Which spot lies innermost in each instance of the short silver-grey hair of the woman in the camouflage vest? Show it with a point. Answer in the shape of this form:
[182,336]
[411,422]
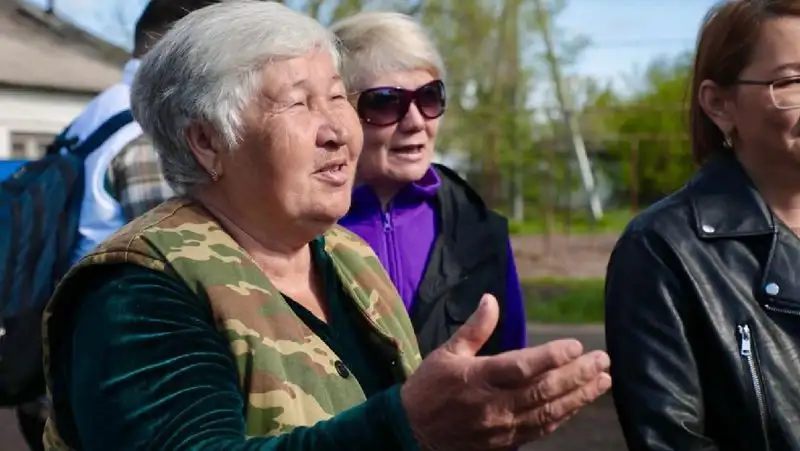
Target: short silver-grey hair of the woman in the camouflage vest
[207,69]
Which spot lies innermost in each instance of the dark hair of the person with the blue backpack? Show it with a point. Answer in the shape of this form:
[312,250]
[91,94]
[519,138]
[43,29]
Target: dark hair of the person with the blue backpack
[159,15]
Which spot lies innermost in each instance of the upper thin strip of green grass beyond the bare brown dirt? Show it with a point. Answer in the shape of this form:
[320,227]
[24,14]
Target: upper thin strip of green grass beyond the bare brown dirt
[613,221]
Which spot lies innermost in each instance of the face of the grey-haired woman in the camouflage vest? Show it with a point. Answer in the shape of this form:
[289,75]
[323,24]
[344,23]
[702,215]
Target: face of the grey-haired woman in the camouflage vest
[300,143]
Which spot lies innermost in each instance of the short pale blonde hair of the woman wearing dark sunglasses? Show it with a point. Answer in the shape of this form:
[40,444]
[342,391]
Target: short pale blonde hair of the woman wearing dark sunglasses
[376,43]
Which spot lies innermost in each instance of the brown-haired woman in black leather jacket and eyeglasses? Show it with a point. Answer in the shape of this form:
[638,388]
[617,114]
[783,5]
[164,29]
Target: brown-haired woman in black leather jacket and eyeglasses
[702,290]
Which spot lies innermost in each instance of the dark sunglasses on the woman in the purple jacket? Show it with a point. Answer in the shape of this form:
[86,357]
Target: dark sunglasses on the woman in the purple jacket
[388,106]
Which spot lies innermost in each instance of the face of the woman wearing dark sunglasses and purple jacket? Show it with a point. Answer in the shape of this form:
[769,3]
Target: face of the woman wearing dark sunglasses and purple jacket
[399,136]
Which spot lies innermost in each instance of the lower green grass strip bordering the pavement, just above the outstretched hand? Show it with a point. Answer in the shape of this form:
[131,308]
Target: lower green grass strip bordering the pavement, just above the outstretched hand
[563,301]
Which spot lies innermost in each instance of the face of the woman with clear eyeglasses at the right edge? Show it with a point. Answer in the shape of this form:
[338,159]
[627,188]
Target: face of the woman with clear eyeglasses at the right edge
[765,125]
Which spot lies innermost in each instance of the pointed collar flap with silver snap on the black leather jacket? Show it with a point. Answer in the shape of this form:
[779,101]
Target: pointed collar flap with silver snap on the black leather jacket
[725,202]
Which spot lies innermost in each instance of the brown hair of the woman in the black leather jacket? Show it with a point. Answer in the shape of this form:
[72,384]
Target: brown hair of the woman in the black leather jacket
[725,44]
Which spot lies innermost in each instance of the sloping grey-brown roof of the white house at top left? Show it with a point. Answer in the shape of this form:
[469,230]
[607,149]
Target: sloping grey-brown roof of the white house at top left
[41,51]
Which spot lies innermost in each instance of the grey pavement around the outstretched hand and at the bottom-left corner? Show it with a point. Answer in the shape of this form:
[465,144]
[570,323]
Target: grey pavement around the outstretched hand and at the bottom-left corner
[593,429]
